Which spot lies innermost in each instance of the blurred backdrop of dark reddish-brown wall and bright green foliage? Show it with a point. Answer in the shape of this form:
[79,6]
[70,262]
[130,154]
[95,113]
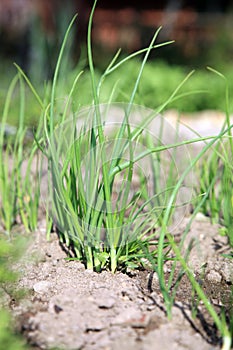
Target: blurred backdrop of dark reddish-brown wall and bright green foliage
[31,34]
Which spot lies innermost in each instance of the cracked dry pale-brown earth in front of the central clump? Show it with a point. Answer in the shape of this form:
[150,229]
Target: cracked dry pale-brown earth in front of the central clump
[68,307]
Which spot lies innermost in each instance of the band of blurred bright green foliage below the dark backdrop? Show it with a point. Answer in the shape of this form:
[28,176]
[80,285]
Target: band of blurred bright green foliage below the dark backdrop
[158,82]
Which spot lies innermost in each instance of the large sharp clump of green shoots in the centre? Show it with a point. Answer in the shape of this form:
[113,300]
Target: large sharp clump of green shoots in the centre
[85,171]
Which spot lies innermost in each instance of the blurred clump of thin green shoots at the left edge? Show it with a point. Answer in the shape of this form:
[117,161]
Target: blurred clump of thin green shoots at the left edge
[19,191]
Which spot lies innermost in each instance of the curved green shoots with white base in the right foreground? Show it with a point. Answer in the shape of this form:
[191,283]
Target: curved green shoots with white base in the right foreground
[167,290]
